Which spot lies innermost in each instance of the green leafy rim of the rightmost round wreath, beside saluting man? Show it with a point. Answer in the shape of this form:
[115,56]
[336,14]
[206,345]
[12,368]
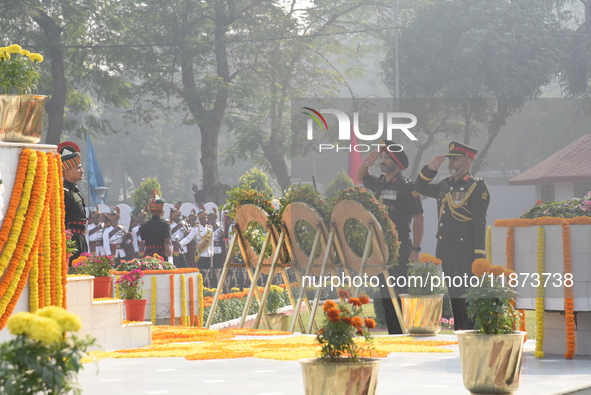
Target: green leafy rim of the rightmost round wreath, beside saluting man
[369,202]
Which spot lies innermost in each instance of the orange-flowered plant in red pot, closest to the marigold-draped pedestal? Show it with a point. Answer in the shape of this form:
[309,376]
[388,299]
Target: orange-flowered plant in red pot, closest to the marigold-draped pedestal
[98,266]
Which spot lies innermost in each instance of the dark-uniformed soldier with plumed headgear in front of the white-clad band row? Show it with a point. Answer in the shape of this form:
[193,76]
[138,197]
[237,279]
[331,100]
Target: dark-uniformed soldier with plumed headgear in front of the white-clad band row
[156,231]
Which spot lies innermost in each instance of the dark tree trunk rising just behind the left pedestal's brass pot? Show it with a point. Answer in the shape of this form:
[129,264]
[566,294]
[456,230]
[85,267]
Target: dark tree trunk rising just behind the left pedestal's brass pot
[56,104]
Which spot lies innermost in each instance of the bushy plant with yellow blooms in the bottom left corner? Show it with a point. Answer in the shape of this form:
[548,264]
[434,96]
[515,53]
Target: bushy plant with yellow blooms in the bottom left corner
[45,356]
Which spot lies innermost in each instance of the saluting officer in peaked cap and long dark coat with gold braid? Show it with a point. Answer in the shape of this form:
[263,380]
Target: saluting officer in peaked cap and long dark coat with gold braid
[462,201]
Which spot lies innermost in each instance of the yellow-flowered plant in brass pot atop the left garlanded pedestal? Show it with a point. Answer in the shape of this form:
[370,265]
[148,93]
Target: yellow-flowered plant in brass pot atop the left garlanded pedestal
[20,112]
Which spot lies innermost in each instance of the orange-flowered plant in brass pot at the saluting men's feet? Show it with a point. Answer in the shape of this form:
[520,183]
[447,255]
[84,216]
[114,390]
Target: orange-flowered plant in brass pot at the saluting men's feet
[422,307]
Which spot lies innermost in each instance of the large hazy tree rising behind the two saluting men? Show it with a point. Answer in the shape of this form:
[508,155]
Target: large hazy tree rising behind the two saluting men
[502,51]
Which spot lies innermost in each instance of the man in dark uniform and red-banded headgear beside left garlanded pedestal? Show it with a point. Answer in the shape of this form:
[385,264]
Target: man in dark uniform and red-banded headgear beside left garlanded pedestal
[74,203]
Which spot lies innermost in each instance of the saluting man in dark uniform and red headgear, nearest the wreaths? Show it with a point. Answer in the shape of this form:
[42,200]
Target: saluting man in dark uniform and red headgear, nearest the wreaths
[404,205]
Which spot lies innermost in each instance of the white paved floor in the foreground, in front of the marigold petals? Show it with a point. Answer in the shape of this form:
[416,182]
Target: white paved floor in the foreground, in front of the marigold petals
[400,373]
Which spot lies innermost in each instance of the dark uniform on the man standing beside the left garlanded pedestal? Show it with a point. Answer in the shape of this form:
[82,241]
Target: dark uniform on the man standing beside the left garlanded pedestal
[75,217]
